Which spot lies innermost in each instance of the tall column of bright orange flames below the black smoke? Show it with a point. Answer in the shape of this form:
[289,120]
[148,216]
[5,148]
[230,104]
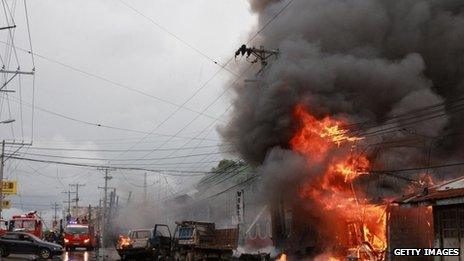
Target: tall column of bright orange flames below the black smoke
[330,152]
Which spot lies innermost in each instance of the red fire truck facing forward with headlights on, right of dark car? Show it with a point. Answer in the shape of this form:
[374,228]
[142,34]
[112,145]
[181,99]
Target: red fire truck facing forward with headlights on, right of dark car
[79,235]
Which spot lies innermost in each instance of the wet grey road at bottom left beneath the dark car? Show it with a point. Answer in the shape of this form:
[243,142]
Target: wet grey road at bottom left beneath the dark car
[78,255]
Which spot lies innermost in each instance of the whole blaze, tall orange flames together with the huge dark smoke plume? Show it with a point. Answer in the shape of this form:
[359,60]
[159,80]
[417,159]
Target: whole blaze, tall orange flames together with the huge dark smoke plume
[364,98]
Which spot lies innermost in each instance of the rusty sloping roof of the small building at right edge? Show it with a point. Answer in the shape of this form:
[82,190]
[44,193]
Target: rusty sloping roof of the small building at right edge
[450,192]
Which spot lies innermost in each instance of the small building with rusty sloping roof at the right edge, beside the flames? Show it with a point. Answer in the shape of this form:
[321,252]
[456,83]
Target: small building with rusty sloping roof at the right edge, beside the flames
[447,203]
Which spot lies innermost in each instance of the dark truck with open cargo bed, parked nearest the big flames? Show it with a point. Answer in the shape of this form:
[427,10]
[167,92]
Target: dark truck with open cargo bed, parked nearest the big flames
[194,240]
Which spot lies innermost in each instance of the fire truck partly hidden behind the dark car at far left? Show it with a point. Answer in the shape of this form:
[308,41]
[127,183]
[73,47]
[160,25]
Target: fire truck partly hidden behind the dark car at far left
[29,223]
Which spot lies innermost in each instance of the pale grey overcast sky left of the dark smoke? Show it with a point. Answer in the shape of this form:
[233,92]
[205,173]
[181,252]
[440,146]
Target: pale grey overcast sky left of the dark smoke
[128,65]
